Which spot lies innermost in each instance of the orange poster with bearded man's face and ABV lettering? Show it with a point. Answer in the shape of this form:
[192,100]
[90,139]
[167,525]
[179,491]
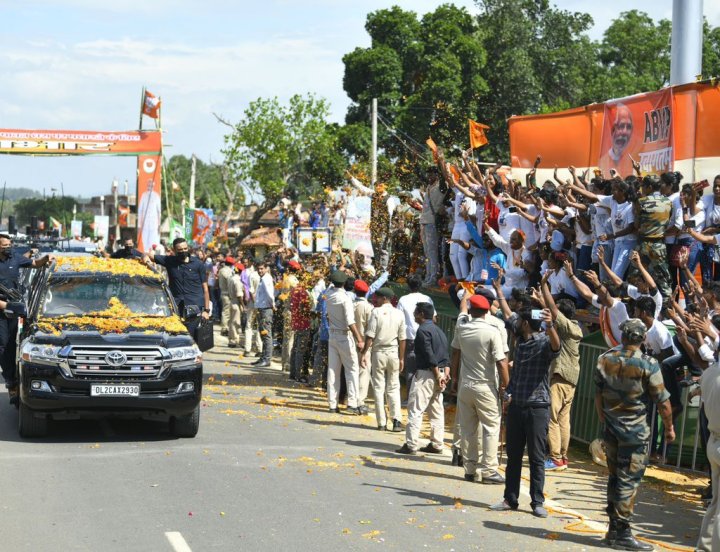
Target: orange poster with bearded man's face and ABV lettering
[640,128]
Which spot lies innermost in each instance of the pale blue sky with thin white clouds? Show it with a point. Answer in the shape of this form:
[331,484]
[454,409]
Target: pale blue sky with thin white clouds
[81,65]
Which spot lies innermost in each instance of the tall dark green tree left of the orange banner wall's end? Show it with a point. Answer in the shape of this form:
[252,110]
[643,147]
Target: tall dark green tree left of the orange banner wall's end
[427,76]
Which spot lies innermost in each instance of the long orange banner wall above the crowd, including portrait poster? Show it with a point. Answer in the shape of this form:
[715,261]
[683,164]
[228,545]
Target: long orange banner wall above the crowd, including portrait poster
[679,124]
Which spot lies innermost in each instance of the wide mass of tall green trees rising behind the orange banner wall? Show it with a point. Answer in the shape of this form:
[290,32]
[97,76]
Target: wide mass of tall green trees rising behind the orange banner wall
[517,57]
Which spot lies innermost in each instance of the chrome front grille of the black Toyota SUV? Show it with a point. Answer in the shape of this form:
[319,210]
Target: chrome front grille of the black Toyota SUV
[89,362]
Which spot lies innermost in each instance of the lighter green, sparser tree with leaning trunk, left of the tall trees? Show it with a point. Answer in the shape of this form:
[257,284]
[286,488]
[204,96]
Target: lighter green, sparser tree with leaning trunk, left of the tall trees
[280,149]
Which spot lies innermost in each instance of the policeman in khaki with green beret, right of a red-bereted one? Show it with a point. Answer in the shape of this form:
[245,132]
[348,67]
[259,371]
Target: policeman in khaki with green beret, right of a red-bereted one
[385,335]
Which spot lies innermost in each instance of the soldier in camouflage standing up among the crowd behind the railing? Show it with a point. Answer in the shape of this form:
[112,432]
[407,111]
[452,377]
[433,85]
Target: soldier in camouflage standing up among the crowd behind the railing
[652,216]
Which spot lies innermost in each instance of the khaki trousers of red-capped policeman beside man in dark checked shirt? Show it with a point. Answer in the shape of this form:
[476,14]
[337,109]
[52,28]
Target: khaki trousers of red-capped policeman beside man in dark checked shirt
[479,427]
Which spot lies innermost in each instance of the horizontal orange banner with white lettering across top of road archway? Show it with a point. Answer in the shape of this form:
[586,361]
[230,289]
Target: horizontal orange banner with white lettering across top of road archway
[79,142]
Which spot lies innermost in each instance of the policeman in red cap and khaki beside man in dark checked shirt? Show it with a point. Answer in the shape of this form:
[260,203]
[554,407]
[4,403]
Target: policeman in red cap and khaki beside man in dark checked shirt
[478,350]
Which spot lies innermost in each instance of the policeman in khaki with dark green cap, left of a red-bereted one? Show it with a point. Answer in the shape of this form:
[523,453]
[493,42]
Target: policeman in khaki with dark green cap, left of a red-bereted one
[341,347]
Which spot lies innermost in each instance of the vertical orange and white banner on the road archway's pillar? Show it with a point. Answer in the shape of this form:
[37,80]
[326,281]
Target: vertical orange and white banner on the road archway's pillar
[149,201]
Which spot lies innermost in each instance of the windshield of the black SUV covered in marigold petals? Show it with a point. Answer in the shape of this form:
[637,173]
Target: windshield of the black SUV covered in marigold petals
[80,294]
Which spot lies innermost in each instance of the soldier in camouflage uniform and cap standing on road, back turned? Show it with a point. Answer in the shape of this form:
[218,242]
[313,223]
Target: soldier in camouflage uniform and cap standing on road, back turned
[624,377]
